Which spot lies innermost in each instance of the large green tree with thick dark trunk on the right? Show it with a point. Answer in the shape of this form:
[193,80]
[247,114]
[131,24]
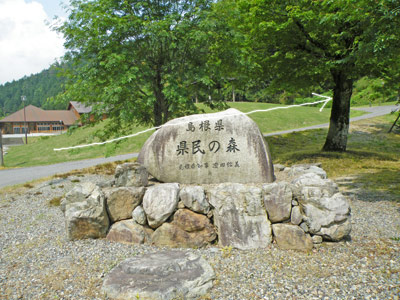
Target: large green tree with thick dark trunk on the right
[324,43]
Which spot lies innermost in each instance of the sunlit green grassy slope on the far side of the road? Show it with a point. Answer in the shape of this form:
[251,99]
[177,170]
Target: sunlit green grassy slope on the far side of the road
[39,150]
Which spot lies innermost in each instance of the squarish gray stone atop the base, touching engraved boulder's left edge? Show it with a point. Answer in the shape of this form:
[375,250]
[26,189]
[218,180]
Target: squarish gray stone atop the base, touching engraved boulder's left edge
[131,174]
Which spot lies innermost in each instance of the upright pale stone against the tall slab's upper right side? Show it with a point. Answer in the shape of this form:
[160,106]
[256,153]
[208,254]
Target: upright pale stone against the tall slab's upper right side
[278,201]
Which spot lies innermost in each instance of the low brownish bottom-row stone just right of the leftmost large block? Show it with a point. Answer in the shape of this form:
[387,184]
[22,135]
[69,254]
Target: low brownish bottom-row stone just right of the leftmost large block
[128,232]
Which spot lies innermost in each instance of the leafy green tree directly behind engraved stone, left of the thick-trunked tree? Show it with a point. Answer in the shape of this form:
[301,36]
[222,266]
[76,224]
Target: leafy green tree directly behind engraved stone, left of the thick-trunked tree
[135,59]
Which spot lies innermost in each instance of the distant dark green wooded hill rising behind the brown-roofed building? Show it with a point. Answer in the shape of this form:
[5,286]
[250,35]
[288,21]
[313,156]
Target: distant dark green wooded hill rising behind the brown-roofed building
[37,88]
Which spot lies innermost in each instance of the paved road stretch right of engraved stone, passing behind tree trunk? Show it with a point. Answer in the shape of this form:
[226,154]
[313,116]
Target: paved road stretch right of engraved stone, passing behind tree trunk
[374,111]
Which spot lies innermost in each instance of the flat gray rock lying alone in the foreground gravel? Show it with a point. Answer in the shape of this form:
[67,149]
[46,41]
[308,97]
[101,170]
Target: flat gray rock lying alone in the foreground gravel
[164,275]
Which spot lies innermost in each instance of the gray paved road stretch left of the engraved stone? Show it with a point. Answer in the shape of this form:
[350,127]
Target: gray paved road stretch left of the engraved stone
[17,176]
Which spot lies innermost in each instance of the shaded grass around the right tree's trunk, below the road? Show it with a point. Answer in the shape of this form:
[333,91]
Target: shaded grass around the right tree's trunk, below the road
[372,158]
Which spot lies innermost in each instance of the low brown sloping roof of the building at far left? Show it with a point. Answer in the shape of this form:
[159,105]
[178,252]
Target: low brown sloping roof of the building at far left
[35,114]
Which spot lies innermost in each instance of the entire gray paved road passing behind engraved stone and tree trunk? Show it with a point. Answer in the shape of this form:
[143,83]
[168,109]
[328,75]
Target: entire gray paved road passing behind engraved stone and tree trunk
[17,176]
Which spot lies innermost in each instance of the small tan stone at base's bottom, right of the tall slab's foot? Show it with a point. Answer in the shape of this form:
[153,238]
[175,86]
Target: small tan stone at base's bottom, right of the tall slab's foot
[292,237]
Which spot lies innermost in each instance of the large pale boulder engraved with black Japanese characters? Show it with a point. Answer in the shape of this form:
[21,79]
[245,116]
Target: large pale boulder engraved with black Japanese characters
[208,148]
